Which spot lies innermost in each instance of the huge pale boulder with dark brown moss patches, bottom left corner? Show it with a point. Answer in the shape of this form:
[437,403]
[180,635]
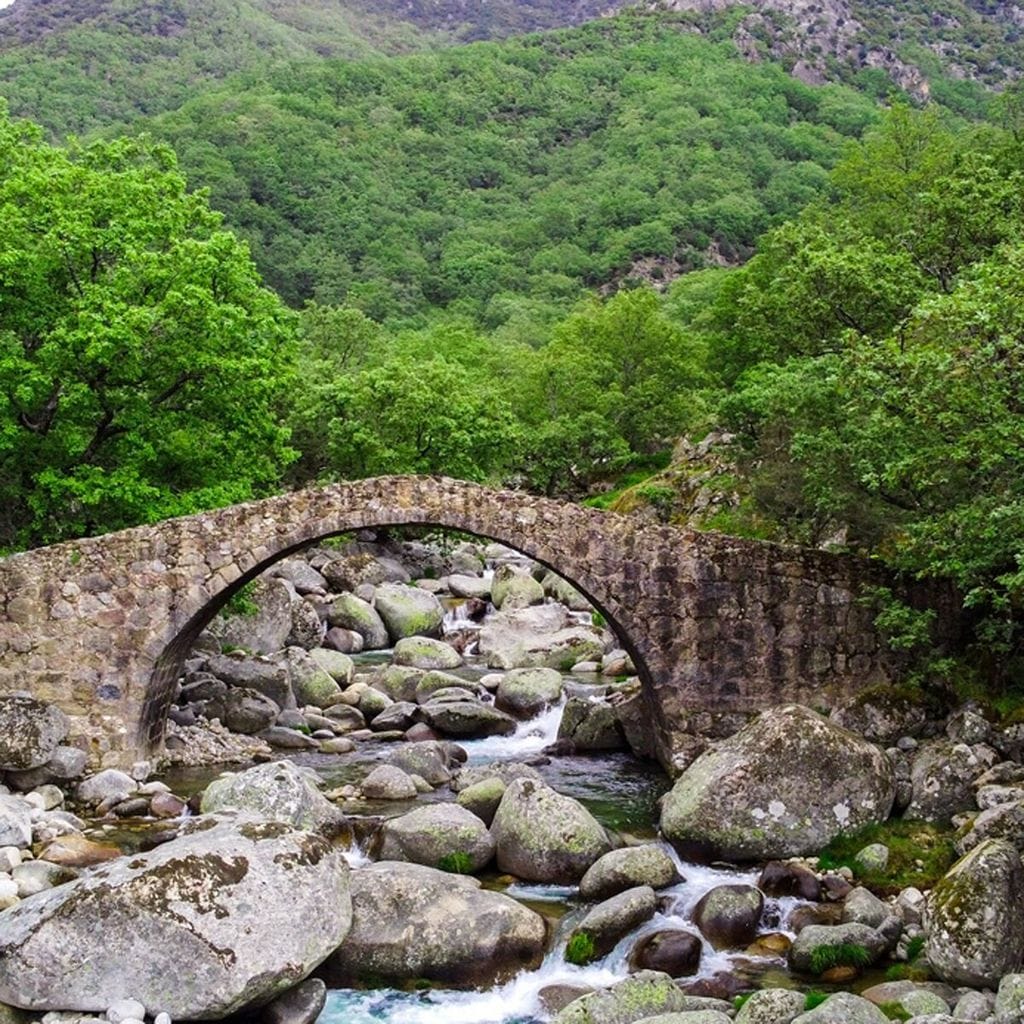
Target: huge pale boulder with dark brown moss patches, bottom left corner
[231,915]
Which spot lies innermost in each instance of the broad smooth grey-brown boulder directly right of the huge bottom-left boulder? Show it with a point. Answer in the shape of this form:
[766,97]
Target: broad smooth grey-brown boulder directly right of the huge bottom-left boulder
[412,922]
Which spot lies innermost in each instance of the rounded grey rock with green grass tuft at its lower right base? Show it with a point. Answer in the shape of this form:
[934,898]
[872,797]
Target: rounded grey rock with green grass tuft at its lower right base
[443,836]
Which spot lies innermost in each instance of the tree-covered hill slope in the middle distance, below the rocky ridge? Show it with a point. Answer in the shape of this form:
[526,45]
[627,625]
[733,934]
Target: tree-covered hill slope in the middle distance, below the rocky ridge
[503,181]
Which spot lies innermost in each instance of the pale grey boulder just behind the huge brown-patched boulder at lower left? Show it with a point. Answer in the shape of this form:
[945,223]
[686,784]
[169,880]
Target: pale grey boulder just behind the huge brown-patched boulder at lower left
[277,792]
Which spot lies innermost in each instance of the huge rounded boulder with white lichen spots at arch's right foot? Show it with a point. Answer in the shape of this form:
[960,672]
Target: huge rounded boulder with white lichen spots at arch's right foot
[745,801]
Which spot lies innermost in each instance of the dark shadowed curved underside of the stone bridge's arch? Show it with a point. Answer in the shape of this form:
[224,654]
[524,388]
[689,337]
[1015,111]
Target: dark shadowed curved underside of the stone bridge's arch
[169,662]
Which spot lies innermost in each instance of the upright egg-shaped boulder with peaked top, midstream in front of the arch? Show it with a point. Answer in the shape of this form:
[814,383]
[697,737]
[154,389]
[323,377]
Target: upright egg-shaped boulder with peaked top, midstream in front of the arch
[543,836]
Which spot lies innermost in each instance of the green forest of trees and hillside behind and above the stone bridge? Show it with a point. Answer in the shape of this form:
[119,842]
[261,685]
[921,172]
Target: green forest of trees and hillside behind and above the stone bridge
[538,263]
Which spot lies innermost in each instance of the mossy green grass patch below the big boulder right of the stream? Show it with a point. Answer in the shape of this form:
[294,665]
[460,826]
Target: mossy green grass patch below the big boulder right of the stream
[909,842]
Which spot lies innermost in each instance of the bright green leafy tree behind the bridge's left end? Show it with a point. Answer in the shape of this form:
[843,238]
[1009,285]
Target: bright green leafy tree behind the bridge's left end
[141,360]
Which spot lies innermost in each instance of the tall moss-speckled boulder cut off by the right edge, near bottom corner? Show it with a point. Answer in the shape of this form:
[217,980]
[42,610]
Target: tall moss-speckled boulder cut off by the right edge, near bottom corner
[976,918]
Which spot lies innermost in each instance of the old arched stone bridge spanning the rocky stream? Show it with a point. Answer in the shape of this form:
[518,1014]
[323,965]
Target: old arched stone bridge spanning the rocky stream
[102,626]
